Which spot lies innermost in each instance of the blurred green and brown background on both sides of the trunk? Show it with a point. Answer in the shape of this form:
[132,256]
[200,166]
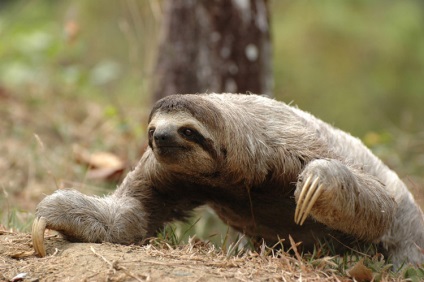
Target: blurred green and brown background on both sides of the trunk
[76,83]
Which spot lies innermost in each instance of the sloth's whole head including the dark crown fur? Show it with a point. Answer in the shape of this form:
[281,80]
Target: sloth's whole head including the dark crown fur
[182,135]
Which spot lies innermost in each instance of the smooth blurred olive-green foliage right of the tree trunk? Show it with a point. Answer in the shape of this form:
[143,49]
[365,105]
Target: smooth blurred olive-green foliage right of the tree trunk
[356,64]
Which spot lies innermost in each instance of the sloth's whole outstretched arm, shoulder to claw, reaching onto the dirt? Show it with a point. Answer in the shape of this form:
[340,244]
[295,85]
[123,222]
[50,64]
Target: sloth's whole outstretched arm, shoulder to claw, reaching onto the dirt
[132,213]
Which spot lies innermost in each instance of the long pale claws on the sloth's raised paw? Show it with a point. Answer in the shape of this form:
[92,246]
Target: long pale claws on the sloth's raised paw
[306,202]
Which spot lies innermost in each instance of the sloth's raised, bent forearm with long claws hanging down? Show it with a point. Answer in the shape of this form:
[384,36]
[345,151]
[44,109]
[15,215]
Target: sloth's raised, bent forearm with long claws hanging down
[344,199]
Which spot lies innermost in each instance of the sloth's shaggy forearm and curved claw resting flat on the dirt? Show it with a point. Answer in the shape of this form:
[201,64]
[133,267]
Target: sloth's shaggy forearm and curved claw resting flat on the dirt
[89,219]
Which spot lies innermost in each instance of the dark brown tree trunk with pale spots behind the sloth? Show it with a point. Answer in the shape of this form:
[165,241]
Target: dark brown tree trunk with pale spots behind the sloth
[214,46]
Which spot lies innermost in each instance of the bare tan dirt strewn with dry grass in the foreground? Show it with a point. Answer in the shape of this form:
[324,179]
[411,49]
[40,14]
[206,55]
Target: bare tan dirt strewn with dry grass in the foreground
[66,261]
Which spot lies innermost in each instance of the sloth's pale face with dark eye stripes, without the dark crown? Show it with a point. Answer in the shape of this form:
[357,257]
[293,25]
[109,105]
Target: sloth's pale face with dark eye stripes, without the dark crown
[182,144]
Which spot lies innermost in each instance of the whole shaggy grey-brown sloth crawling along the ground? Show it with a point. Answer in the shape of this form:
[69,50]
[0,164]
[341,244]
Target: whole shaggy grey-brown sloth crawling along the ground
[267,169]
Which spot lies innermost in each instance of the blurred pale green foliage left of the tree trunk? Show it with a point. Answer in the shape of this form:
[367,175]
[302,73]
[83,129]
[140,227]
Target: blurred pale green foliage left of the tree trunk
[76,48]
